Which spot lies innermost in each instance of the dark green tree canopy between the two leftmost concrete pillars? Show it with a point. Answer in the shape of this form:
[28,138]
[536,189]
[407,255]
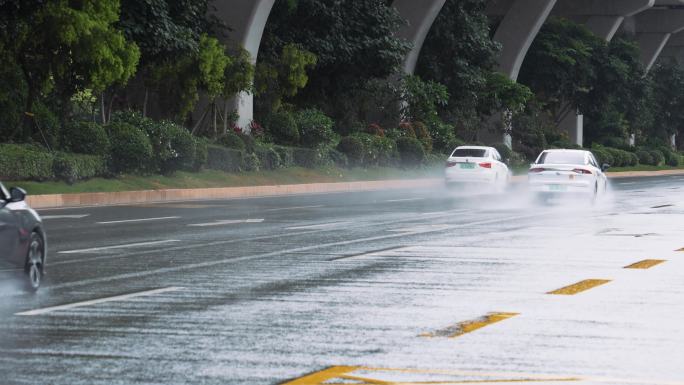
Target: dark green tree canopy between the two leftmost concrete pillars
[354,42]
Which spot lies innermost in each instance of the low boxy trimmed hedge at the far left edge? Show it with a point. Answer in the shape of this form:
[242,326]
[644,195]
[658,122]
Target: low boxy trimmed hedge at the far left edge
[25,162]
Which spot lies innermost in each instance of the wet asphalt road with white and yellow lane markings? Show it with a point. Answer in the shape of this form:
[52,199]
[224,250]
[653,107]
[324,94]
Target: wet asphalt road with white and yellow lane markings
[401,287]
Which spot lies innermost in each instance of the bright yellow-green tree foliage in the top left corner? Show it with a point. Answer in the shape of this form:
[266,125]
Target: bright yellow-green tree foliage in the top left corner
[66,47]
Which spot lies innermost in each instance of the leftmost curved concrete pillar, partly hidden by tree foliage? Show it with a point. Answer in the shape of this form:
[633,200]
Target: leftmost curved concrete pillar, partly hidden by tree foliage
[246,19]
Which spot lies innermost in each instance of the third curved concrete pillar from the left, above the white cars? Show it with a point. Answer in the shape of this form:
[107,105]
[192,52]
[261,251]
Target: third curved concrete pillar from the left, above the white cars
[517,31]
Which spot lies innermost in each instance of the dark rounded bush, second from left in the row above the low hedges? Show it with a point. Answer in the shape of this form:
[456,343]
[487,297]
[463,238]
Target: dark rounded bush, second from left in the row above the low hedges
[131,150]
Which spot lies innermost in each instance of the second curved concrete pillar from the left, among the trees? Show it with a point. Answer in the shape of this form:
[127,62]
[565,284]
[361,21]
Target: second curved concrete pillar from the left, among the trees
[420,16]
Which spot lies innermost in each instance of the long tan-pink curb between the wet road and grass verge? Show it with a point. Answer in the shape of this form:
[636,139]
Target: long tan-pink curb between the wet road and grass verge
[175,195]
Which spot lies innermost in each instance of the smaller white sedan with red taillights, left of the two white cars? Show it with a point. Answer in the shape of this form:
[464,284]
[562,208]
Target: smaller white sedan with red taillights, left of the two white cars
[470,165]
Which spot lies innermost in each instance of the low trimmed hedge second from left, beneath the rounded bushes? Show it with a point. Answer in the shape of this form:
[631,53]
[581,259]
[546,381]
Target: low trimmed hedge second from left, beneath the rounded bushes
[73,167]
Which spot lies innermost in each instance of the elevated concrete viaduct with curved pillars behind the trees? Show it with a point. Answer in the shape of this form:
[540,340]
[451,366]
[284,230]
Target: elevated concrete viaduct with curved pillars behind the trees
[656,24]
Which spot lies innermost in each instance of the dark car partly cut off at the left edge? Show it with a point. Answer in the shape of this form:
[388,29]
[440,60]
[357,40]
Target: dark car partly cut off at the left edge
[22,238]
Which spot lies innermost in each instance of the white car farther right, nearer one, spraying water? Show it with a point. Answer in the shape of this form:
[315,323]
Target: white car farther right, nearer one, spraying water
[567,172]
